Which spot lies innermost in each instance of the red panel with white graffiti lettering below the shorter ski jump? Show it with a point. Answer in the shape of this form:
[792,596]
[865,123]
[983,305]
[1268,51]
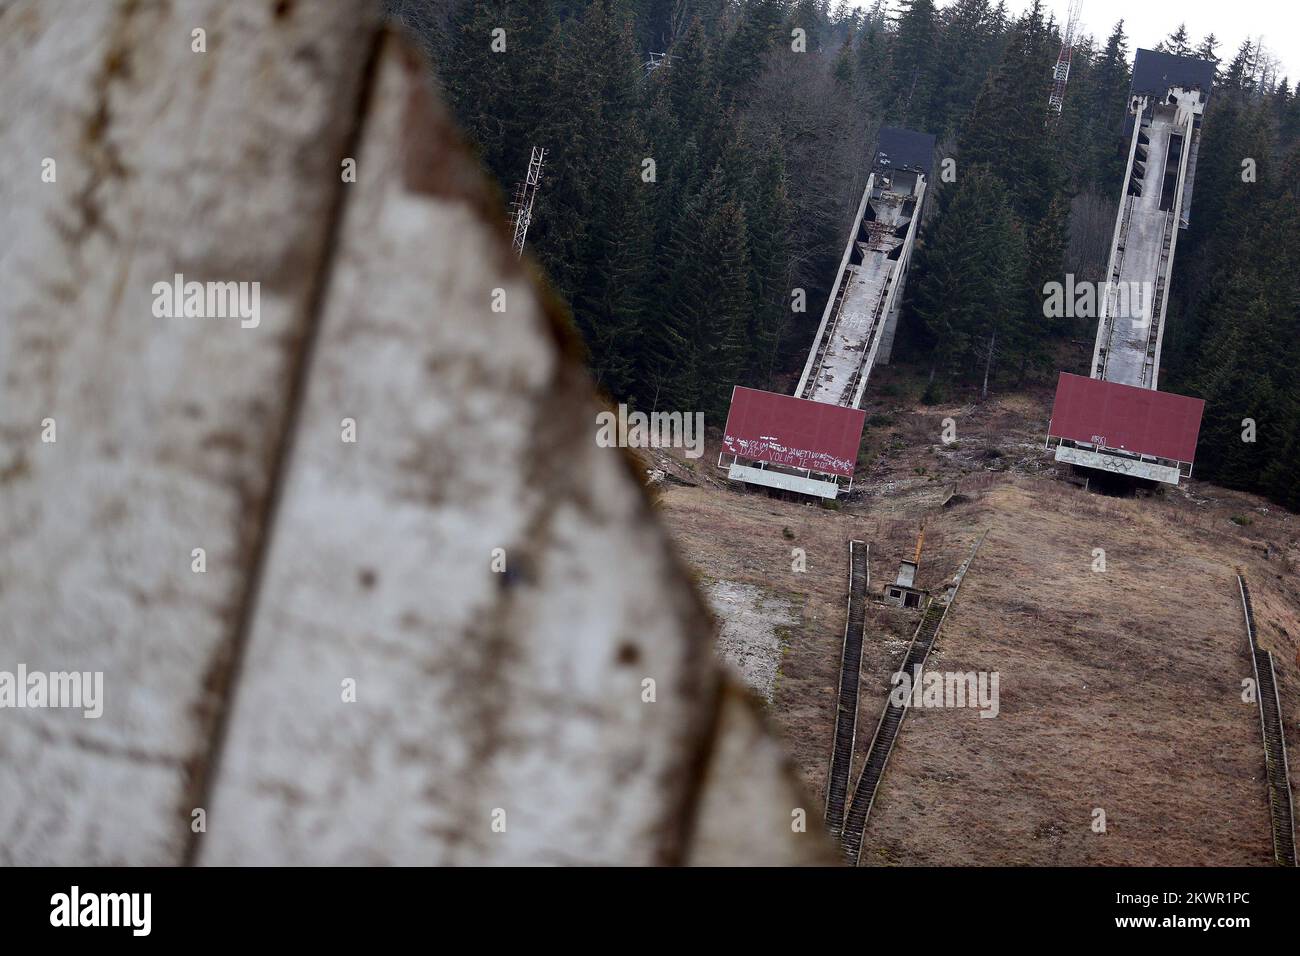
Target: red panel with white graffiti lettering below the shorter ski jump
[783,430]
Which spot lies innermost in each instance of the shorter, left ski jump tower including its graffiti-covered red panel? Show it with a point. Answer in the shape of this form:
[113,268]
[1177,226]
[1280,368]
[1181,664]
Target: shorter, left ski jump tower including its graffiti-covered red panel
[809,443]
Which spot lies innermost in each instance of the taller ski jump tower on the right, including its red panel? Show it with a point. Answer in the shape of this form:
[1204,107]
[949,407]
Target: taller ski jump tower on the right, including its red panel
[1119,423]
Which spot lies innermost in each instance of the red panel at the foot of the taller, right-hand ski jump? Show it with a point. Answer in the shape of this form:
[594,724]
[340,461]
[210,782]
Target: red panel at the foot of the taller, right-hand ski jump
[1124,417]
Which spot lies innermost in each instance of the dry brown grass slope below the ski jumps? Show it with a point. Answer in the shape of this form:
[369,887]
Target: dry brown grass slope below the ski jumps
[1119,691]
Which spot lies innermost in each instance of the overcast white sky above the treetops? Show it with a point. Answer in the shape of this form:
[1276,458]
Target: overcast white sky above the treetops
[1147,23]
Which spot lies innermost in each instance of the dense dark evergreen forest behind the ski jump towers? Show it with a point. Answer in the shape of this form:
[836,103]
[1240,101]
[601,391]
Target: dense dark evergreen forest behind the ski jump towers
[694,214]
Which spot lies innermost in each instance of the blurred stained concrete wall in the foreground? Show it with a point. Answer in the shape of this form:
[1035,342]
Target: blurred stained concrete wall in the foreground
[274,534]
